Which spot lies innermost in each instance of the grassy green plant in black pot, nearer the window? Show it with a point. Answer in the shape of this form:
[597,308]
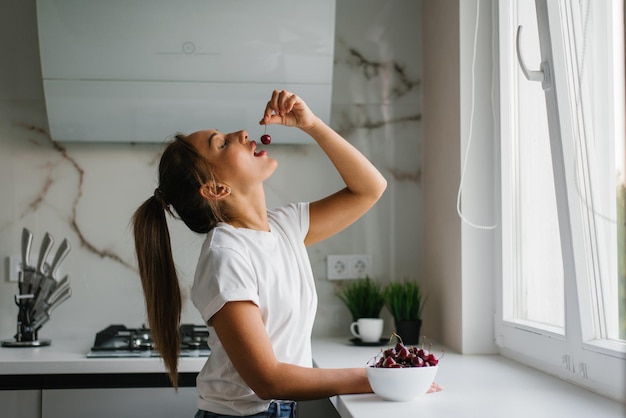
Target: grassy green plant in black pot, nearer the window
[405,301]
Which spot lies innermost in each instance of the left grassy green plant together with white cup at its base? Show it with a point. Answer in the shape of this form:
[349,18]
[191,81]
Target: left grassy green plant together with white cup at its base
[364,299]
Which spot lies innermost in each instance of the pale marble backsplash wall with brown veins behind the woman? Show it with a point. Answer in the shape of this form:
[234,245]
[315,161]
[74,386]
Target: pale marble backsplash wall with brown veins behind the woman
[88,192]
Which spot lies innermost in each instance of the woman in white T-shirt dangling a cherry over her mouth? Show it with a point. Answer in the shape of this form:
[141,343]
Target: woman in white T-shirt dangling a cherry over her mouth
[253,283]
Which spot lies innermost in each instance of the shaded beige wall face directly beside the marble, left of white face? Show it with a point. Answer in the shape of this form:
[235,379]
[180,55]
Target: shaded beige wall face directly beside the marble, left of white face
[442,255]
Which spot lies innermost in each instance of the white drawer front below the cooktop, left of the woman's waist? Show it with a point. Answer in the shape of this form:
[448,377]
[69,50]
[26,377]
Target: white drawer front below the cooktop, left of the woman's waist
[119,403]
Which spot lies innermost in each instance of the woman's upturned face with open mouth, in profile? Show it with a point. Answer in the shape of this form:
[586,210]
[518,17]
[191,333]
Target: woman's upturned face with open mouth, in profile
[233,157]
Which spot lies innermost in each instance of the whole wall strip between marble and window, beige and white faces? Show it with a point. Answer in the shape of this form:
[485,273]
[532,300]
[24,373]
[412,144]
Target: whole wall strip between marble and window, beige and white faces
[459,262]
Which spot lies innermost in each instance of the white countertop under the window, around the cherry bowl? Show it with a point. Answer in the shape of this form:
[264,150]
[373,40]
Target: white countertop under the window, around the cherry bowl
[474,386]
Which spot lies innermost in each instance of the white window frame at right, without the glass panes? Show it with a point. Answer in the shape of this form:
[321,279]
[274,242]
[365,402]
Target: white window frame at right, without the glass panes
[578,356]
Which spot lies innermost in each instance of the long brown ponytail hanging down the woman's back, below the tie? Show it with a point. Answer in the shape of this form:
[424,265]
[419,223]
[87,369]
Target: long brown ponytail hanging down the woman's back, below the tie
[159,280]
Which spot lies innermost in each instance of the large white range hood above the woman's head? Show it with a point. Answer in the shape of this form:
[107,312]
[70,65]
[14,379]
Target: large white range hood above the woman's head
[142,70]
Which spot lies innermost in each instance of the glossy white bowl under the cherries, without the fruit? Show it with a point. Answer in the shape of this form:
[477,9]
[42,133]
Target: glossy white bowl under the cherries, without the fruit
[401,384]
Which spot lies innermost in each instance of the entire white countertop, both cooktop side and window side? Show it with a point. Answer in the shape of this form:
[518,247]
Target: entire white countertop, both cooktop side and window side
[474,385]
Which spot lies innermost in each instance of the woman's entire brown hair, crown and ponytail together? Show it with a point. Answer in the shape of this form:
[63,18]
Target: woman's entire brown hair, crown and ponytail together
[182,170]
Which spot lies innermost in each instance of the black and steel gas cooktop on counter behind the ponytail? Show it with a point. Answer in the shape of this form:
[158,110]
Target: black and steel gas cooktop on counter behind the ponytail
[120,341]
